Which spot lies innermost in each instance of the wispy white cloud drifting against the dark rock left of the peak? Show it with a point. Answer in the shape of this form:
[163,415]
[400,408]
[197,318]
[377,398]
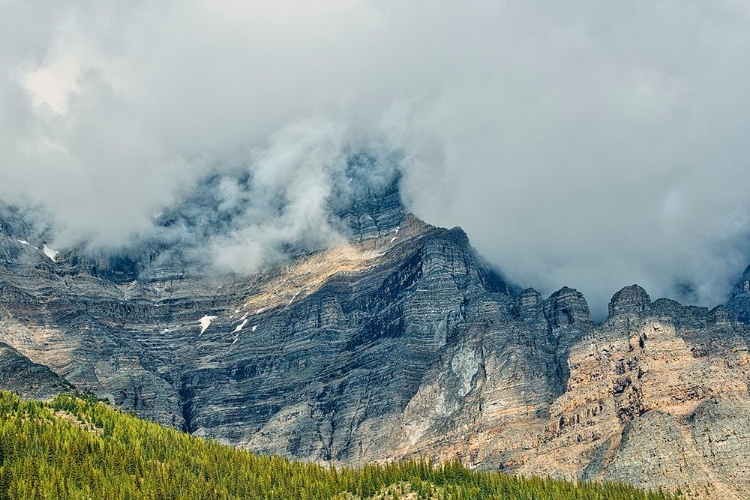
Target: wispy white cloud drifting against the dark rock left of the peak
[285,200]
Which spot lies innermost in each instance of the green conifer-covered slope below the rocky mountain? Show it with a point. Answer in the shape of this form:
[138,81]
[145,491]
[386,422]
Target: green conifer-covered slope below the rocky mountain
[80,448]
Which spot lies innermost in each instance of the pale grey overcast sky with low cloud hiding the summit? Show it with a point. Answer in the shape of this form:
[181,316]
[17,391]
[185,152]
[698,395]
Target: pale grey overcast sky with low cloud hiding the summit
[583,143]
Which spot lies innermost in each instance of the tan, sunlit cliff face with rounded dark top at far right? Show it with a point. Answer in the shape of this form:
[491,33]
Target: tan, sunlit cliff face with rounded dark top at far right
[653,394]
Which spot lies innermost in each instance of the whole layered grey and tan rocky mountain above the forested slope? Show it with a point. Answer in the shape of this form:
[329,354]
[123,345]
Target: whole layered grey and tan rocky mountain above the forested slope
[400,343]
